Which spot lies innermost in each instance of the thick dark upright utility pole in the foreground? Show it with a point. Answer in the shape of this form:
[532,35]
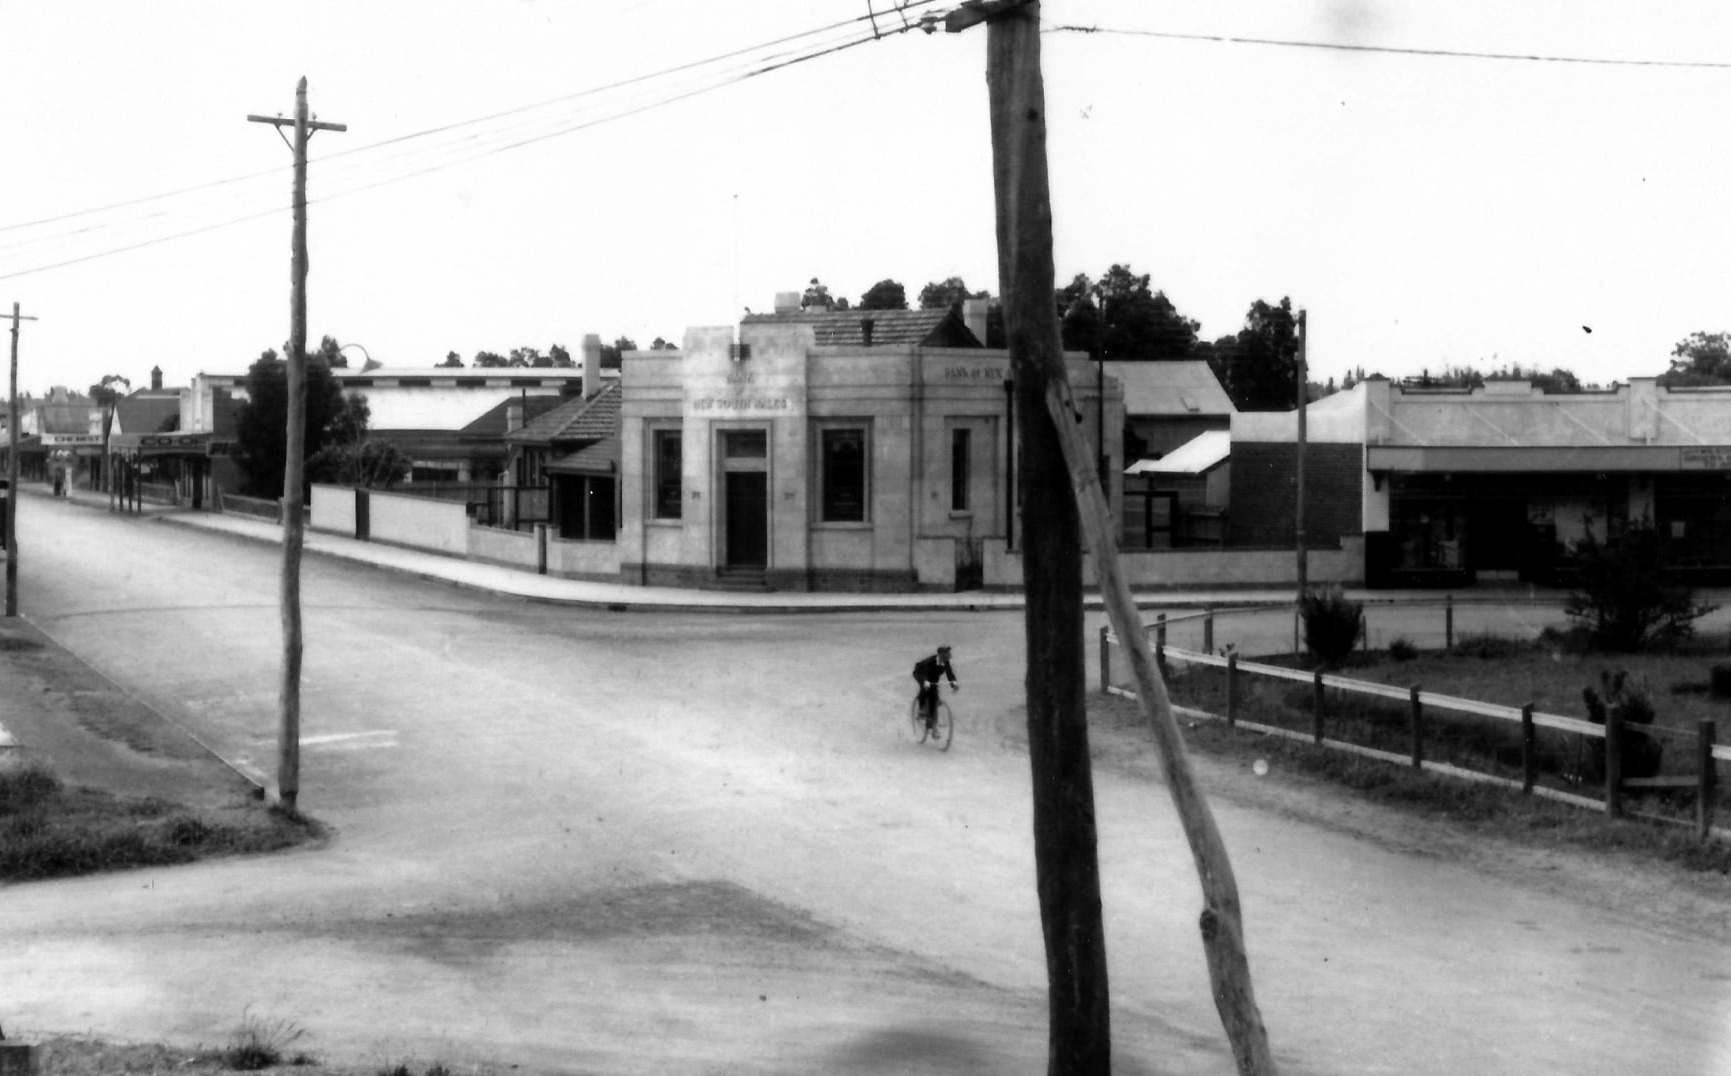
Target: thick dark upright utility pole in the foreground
[1065,835]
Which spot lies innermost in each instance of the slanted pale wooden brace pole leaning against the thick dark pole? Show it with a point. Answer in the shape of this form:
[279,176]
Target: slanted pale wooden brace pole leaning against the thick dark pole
[1223,926]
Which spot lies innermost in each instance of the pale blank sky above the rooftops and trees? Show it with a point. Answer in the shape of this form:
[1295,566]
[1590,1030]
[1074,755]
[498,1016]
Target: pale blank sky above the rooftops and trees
[527,172]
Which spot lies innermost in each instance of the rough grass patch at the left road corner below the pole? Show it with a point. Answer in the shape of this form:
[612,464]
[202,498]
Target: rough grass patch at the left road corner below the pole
[49,829]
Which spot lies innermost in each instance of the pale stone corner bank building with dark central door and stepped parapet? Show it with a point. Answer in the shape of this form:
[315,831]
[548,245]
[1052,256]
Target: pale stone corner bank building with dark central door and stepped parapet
[832,451]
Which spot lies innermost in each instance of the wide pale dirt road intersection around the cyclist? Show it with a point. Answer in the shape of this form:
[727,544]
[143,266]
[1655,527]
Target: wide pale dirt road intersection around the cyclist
[700,845]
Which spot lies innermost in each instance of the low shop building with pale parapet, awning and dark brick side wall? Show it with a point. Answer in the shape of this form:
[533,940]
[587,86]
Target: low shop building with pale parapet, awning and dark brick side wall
[1500,482]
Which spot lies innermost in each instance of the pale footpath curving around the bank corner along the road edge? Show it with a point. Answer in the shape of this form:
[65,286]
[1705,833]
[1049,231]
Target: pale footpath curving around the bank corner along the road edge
[624,598]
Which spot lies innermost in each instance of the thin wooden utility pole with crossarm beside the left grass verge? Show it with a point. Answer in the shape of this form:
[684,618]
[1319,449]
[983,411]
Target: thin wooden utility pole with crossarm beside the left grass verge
[295,449]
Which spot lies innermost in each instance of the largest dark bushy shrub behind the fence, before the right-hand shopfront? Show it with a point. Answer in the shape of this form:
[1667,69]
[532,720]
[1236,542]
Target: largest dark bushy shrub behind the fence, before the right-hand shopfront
[1623,598]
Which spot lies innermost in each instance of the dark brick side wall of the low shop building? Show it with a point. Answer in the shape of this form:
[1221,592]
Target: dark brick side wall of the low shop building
[1264,494]
